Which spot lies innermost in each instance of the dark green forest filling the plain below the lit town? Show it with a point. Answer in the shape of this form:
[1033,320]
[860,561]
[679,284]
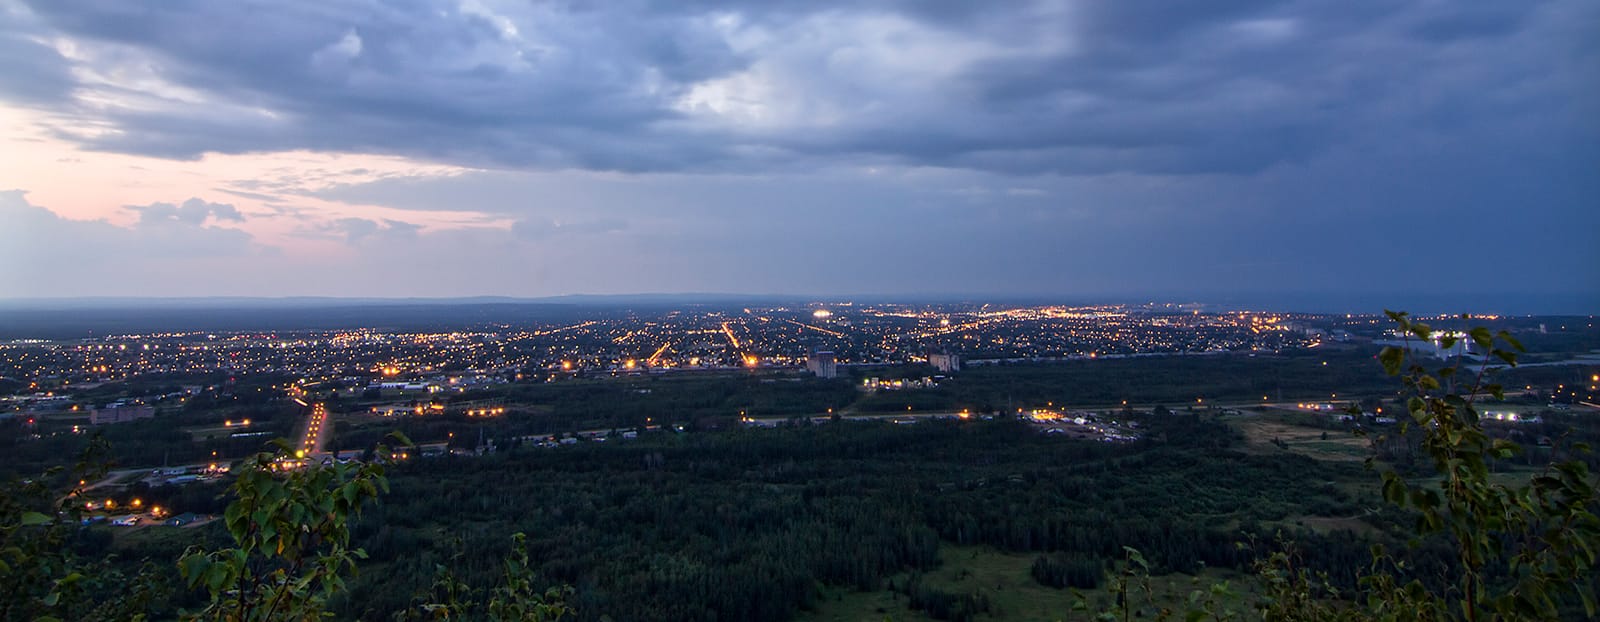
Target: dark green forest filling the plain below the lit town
[751,524]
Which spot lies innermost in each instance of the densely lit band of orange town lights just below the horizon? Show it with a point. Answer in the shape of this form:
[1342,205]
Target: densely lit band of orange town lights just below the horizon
[681,341]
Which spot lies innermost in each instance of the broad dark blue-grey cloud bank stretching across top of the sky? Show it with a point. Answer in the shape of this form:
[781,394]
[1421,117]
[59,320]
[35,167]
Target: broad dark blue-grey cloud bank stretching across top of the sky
[1076,89]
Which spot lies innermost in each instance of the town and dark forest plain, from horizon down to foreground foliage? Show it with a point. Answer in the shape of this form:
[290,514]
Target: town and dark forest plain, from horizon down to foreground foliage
[918,404]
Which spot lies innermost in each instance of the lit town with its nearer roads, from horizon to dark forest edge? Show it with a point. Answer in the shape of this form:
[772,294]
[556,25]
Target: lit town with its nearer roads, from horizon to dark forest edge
[223,394]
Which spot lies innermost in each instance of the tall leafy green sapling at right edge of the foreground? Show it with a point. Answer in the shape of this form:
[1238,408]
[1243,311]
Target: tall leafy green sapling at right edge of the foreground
[1521,551]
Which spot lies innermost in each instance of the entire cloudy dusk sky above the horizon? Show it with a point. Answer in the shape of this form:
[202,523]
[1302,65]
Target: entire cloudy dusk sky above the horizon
[1078,150]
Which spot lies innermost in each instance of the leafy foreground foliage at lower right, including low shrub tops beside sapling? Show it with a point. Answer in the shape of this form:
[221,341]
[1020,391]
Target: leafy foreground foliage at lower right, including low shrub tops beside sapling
[1521,552]
